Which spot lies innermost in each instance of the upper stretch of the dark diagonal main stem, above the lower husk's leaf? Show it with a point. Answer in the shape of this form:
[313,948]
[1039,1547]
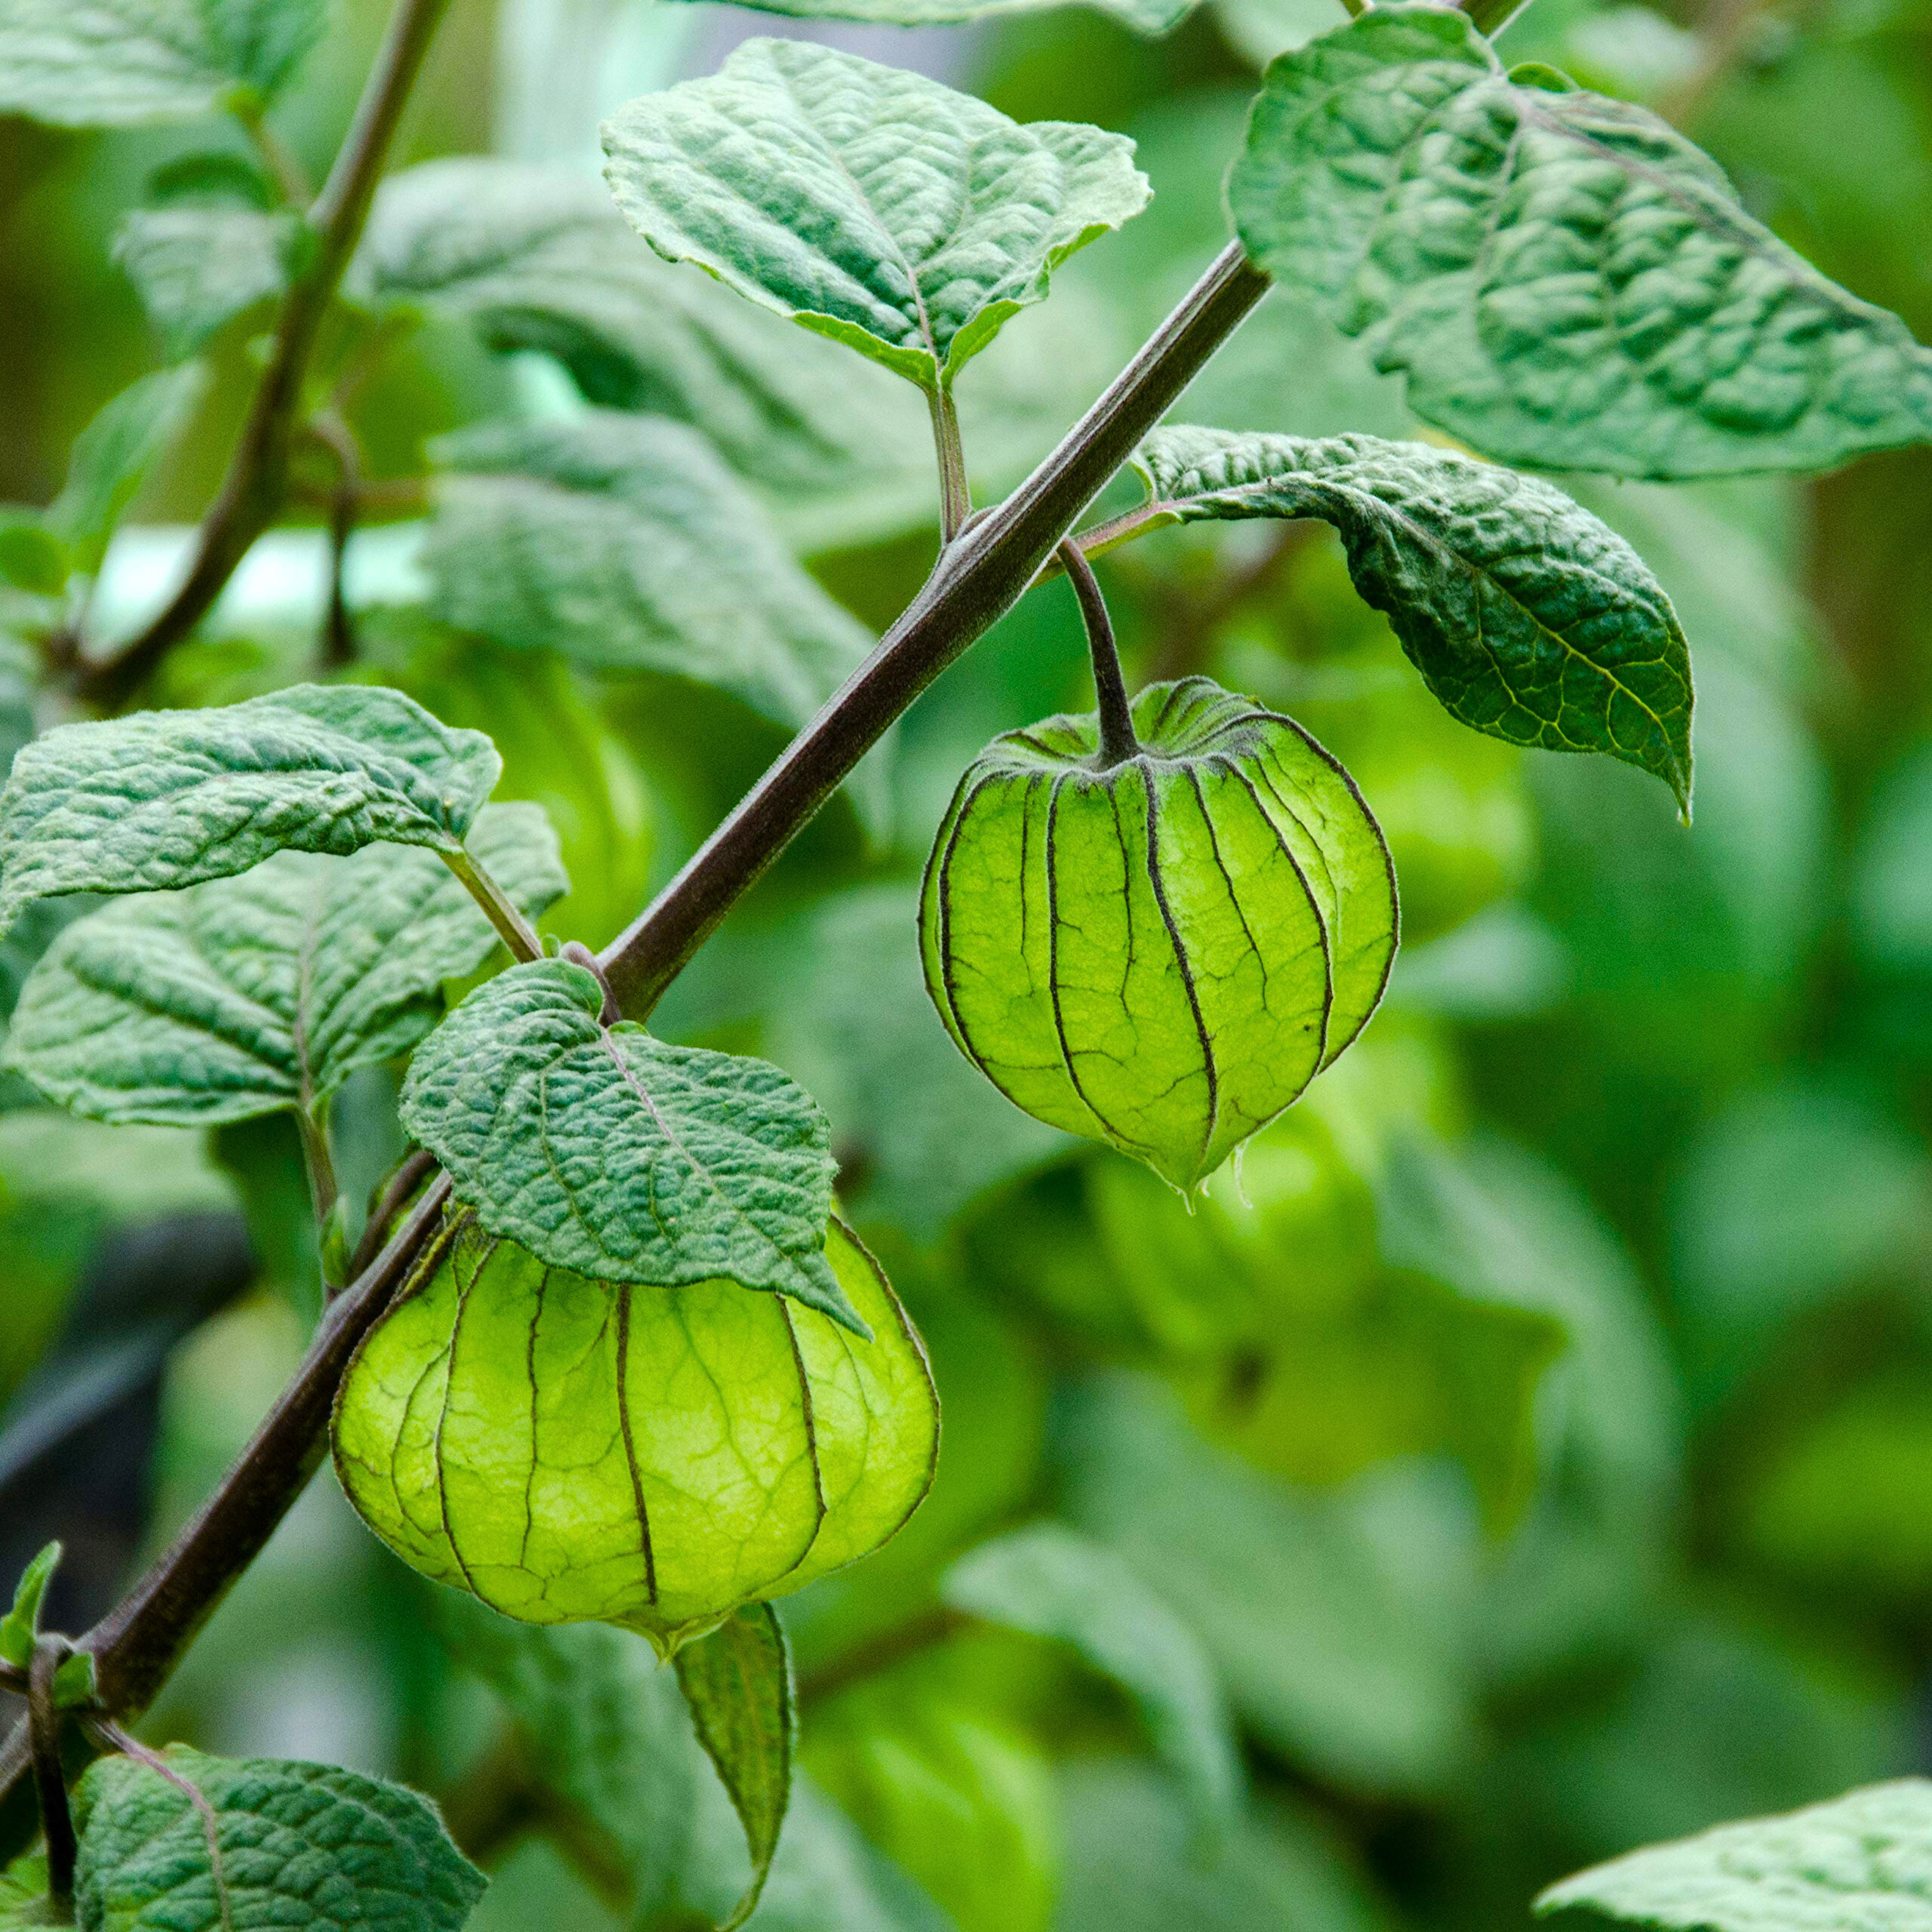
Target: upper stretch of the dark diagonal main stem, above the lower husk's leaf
[975,582]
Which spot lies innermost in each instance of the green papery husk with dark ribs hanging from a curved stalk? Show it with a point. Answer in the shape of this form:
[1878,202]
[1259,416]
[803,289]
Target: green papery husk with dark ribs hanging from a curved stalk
[1164,952]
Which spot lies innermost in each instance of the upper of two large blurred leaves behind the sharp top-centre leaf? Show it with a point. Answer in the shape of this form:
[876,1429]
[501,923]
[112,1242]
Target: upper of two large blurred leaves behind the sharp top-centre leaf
[540,260]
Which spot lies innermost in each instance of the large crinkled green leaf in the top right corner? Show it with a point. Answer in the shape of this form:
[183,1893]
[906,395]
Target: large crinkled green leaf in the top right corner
[1564,279]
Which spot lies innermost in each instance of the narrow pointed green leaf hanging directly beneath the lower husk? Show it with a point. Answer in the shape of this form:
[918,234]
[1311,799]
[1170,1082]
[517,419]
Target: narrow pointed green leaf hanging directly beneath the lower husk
[739,1688]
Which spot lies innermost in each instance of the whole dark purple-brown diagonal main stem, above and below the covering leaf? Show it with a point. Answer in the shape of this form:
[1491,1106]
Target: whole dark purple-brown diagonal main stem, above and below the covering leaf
[140,1641]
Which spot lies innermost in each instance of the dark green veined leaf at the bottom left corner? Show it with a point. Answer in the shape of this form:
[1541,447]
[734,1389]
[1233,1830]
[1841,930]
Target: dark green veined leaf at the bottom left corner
[262,1842]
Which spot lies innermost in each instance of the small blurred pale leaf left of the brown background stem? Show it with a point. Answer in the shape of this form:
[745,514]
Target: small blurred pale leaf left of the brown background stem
[196,270]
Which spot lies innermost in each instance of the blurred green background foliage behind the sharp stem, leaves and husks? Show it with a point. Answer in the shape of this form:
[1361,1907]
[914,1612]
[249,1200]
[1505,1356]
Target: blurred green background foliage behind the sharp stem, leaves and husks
[1535,1427]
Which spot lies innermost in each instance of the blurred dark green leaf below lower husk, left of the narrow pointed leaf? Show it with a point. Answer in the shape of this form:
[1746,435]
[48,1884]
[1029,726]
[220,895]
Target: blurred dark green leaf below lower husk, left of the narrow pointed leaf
[604,1732]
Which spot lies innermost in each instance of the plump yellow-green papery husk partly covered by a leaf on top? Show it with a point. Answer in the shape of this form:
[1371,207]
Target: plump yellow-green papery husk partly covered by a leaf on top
[575,1450]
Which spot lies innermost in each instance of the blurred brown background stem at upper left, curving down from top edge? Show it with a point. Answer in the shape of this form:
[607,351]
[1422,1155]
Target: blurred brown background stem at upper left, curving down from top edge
[256,486]
